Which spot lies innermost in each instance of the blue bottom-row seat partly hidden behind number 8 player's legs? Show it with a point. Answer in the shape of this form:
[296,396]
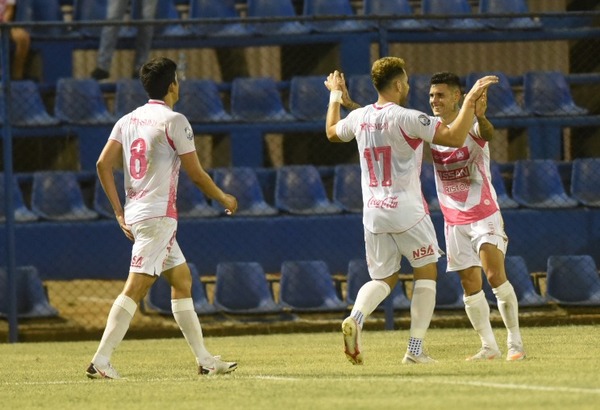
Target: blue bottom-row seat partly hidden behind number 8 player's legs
[159,296]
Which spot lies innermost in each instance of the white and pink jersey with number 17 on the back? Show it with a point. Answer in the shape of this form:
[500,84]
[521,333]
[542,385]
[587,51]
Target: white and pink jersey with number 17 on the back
[390,145]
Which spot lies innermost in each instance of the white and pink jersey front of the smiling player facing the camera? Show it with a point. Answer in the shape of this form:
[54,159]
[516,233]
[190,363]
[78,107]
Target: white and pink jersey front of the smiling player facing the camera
[463,181]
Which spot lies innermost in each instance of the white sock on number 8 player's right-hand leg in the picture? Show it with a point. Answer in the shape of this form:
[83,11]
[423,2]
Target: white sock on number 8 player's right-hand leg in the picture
[187,319]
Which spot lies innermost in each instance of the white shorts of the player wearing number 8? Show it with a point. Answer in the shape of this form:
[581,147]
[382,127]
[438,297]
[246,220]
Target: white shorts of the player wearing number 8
[155,248]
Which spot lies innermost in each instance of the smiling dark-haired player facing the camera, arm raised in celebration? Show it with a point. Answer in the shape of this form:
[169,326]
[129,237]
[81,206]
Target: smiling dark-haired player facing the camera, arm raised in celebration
[474,229]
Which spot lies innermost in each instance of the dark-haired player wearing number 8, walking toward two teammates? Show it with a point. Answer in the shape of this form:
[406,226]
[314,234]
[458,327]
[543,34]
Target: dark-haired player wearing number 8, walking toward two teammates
[152,142]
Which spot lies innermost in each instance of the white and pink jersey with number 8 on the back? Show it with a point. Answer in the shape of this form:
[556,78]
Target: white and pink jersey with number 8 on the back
[153,136]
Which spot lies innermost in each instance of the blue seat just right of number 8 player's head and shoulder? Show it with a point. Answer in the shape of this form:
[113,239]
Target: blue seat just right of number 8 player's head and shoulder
[200,102]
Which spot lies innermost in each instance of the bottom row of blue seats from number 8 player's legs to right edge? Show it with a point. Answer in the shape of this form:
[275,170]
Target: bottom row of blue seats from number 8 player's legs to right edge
[308,285]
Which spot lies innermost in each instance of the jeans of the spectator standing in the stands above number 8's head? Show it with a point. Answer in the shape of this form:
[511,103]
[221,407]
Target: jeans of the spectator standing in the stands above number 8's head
[108,41]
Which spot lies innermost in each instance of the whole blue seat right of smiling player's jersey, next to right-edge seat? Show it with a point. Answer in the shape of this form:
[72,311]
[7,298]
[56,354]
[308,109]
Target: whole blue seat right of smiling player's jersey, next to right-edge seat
[537,184]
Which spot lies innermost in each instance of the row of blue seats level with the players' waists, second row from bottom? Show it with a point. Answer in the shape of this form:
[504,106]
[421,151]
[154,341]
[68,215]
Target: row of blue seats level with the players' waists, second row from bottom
[301,190]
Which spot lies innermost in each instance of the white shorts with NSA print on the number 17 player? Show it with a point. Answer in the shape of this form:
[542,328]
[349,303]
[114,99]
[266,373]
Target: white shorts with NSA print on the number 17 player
[385,250]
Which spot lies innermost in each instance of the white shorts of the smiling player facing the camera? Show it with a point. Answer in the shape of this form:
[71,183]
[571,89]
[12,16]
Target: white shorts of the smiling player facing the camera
[464,241]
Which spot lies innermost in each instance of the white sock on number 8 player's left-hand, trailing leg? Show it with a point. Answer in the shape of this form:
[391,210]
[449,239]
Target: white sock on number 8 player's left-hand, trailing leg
[117,324]
